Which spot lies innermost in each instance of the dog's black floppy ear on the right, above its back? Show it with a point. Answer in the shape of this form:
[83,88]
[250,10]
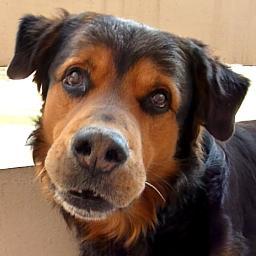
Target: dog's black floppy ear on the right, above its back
[219,91]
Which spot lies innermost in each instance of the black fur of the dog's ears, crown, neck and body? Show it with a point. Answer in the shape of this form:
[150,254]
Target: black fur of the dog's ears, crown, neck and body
[212,208]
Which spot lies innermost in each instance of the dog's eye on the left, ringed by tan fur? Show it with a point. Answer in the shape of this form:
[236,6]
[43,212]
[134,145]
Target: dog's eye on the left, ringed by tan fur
[76,81]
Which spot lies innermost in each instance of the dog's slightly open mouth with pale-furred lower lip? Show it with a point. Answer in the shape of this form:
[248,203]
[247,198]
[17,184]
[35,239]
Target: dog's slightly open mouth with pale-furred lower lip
[84,204]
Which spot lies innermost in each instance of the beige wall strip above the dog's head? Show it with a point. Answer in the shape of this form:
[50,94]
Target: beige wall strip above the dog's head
[227,25]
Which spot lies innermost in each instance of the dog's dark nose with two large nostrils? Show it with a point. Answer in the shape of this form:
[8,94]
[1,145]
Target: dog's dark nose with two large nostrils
[100,149]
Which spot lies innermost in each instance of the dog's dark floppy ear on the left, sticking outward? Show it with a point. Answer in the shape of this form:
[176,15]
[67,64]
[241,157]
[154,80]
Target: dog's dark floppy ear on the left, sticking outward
[36,44]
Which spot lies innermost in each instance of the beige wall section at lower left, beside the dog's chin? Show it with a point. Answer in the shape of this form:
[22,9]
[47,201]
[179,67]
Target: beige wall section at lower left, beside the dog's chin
[28,224]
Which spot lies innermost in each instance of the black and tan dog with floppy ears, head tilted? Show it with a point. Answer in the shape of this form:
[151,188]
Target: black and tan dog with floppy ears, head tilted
[137,144]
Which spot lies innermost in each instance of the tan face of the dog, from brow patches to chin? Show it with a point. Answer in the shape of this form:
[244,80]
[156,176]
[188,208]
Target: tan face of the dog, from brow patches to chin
[102,138]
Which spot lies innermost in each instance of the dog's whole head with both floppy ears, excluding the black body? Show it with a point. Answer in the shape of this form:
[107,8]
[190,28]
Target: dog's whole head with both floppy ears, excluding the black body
[122,104]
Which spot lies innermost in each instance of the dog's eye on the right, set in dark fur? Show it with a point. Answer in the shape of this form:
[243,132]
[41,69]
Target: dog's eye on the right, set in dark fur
[156,102]
